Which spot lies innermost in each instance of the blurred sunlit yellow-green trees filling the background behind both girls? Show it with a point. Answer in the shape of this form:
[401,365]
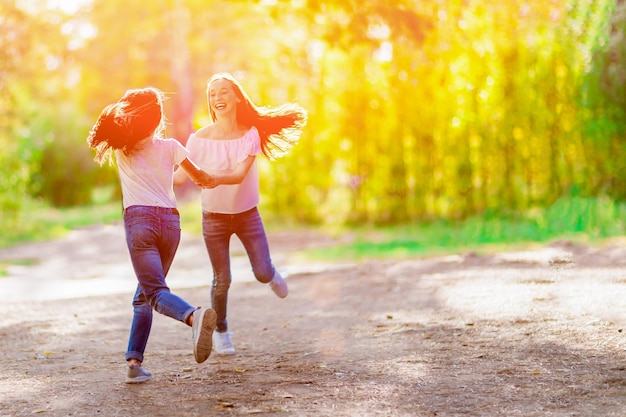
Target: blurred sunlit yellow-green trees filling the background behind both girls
[505,120]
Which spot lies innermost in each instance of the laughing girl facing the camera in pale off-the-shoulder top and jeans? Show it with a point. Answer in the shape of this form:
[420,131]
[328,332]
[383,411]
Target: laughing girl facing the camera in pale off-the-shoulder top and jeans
[227,149]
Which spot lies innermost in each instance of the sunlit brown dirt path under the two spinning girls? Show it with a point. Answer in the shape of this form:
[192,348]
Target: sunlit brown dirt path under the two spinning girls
[515,334]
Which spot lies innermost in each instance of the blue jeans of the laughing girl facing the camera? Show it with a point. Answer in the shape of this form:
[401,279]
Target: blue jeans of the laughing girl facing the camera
[217,230]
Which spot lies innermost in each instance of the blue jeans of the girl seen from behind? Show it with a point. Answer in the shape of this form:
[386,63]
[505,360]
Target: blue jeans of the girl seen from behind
[152,236]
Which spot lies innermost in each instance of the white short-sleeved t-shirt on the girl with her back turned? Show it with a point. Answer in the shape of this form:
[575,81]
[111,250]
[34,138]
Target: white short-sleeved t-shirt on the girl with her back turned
[147,173]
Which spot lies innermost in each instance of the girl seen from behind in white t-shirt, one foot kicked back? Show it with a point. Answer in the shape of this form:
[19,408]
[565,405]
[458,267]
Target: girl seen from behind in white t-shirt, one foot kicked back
[132,129]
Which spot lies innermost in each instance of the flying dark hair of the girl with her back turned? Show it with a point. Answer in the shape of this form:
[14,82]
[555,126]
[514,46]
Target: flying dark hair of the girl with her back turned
[135,116]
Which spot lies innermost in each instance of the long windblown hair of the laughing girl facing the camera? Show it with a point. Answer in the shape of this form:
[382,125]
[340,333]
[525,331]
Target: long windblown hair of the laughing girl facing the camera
[279,127]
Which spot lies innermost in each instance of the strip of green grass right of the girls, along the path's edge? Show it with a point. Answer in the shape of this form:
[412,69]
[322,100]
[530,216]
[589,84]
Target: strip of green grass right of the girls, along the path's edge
[574,218]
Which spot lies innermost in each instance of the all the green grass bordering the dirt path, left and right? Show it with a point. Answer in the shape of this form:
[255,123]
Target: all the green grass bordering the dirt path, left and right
[573,218]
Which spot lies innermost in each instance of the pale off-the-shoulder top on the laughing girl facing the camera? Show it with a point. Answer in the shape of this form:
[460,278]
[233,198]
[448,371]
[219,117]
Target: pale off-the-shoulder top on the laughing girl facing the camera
[217,155]
